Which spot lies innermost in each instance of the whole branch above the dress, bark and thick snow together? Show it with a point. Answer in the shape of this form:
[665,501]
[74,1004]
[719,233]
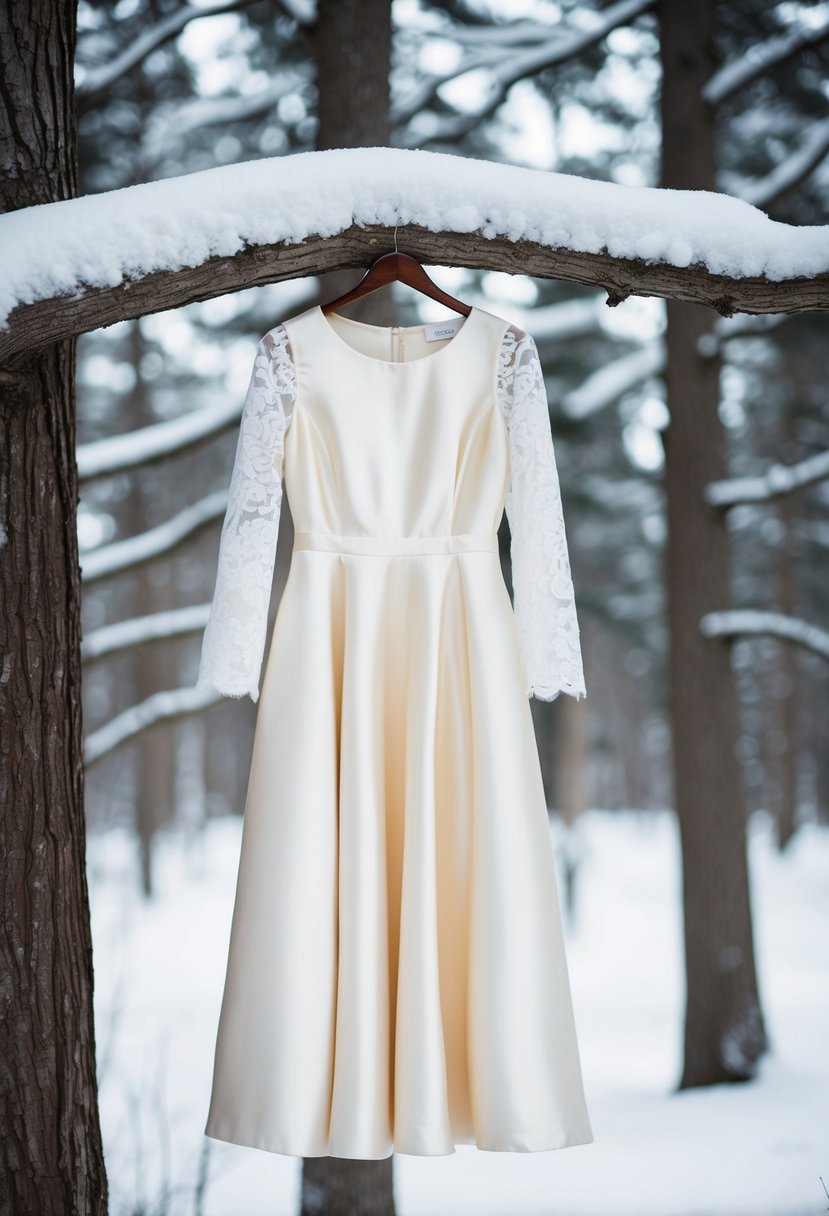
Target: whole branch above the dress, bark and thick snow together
[81,264]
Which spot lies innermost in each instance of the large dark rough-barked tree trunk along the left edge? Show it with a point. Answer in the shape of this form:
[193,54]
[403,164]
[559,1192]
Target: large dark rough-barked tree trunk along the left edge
[50,1144]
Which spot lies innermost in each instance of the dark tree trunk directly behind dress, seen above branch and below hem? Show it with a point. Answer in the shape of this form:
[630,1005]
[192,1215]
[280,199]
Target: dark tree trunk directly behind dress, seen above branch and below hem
[353,53]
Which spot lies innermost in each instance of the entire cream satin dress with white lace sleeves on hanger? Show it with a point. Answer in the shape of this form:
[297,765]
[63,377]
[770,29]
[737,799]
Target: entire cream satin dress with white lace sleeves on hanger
[397,977]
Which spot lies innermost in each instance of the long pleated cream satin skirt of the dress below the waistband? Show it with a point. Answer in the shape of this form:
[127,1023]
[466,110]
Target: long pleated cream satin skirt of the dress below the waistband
[397,977]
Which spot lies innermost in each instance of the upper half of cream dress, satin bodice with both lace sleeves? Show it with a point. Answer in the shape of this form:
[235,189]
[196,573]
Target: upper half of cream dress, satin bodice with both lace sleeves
[405,441]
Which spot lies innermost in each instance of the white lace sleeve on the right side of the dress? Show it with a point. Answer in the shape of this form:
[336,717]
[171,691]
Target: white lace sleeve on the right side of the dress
[544,599]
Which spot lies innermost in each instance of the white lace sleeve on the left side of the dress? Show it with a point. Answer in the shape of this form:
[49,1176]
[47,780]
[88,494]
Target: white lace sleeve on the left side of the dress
[234,640]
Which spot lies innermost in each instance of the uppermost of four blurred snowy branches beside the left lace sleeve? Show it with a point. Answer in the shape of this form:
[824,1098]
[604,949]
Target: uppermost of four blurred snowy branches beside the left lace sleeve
[103,458]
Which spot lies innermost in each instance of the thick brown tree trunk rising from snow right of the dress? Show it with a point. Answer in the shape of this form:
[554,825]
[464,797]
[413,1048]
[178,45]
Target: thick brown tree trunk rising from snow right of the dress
[724,1032]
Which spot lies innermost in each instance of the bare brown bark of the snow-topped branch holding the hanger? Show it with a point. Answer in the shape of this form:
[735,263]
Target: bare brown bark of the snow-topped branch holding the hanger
[142,295]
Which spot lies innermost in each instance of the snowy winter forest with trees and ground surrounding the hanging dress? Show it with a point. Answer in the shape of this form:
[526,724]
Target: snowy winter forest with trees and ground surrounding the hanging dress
[641,187]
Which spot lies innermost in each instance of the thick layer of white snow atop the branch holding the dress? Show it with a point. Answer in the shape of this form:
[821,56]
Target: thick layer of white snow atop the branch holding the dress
[108,239]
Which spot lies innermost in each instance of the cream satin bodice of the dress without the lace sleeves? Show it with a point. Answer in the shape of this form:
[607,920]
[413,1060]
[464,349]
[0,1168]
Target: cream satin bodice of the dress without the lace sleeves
[396,449]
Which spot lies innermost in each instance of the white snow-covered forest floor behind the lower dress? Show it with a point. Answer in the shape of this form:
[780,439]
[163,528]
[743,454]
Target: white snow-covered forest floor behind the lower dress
[760,1149]
